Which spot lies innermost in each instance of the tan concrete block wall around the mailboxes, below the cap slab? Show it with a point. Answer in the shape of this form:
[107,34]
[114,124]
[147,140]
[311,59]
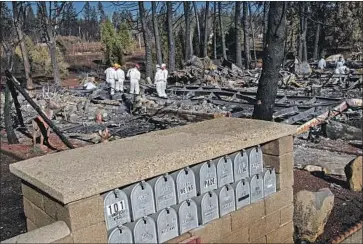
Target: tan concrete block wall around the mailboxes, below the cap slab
[266,221]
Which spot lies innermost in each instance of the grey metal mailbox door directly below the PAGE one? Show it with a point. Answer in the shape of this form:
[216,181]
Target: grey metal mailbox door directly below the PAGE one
[207,207]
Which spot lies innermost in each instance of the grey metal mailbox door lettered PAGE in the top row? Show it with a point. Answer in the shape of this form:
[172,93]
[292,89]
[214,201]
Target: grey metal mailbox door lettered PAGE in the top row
[206,177]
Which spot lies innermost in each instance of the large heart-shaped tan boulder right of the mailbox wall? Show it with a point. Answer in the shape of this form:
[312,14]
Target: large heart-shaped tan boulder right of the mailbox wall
[311,212]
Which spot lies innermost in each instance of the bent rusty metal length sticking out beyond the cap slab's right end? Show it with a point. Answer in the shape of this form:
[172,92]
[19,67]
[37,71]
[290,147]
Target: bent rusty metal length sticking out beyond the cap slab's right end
[351,103]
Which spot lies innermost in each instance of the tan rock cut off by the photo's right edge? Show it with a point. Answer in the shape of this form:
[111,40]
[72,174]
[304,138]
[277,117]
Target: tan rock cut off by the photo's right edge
[353,172]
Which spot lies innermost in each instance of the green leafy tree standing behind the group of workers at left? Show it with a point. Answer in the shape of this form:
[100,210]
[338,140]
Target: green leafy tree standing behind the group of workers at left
[115,44]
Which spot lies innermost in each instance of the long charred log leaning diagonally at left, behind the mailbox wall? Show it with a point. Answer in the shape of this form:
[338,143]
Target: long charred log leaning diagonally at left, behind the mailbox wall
[15,82]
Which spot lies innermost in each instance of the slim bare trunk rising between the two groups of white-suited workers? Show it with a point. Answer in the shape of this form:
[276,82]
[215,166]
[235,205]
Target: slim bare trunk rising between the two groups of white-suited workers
[146,36]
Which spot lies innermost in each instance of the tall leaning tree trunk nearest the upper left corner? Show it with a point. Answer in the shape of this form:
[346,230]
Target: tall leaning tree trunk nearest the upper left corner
[18,22]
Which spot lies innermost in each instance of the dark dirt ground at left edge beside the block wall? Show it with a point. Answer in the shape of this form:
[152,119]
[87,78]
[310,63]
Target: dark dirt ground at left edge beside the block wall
[12,220]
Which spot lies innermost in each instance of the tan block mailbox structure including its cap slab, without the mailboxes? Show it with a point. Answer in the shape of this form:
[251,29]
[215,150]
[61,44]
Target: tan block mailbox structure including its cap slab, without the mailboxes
[74,195]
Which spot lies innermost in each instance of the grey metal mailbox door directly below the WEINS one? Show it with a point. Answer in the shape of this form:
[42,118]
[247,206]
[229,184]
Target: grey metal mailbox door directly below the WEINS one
[188,215]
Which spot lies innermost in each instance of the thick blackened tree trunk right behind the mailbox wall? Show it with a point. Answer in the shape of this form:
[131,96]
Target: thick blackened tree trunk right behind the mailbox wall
[272,59]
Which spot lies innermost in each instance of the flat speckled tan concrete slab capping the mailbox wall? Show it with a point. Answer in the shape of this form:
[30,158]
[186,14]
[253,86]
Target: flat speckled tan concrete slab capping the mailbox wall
[83,172]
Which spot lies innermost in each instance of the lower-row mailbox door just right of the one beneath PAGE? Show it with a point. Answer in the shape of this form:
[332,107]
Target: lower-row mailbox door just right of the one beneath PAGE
[226,200]
